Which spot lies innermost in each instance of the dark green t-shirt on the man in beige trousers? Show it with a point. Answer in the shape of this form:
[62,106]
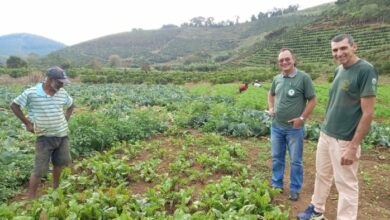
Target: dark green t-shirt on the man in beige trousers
[344,111]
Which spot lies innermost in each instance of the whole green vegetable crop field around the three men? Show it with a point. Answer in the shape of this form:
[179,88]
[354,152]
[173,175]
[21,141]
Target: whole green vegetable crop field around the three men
[198,151]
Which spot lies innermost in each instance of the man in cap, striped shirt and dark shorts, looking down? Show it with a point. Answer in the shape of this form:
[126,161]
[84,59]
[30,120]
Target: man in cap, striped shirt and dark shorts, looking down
[46,118]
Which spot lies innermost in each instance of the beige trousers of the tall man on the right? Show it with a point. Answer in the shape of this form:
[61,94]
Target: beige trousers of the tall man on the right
[328,166]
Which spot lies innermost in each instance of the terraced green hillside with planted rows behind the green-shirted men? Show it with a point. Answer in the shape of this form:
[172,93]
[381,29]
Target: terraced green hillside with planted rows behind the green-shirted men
[368,21]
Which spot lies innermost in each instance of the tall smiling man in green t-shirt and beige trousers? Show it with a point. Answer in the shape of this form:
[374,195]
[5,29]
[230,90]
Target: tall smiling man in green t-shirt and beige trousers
[347,120]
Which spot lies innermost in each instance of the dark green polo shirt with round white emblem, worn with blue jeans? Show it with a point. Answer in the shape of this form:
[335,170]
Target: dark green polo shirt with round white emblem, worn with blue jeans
[291,94]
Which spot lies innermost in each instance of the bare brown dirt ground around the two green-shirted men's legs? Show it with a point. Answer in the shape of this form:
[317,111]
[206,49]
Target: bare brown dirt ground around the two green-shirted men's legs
[374,186]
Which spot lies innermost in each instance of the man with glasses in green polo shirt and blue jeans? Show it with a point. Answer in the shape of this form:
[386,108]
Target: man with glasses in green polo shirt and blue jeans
[290,100]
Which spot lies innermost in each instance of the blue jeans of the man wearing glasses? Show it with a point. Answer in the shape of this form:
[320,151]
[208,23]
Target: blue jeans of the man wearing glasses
[290,139]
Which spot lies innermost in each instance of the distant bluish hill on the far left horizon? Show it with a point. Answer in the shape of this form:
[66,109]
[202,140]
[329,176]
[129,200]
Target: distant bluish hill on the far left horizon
[23,44]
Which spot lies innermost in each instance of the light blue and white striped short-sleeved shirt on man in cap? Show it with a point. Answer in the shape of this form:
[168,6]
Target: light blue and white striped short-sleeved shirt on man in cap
[46,112]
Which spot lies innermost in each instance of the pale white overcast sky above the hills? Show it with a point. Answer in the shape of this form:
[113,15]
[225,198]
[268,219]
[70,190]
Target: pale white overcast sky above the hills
[75,21]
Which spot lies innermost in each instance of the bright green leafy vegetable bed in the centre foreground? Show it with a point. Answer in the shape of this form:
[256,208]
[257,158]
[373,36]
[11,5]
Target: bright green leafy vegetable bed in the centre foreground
[100,187]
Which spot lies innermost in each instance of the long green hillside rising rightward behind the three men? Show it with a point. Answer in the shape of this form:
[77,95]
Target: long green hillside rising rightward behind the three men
[243,44]
